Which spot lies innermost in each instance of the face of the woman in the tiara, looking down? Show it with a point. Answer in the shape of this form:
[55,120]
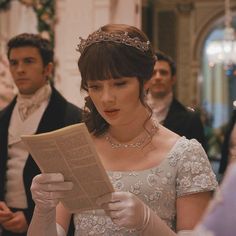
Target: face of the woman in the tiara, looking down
[117,100]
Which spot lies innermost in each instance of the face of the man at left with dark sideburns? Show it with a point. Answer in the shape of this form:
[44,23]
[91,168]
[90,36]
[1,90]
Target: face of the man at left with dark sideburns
[27,69]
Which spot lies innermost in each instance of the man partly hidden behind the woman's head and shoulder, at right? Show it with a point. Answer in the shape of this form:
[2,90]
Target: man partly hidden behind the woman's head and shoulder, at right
[166,108]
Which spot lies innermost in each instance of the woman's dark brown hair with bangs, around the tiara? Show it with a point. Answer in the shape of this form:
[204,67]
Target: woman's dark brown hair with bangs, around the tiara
[107,59]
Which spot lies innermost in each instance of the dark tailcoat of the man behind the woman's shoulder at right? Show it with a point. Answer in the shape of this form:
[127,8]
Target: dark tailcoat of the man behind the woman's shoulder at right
[185,122]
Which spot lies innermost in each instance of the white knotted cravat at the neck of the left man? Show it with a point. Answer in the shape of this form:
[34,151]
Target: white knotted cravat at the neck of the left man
[29,104]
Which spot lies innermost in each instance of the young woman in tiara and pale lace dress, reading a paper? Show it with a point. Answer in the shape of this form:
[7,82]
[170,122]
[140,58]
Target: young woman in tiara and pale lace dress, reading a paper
[162,181]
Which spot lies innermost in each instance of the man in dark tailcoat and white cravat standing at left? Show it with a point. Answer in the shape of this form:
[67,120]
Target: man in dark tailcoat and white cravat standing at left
[38,107]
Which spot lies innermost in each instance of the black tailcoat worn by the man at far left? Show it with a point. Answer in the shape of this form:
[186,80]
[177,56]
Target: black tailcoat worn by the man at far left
[59,113]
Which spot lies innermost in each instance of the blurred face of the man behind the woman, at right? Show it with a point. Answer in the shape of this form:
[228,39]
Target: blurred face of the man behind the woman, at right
[162,81]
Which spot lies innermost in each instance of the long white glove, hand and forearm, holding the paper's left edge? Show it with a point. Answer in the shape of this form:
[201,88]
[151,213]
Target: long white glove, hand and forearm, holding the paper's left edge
[47,190]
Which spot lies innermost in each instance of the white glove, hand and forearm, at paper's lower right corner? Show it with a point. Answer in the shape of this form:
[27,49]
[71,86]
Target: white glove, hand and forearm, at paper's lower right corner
[127,210]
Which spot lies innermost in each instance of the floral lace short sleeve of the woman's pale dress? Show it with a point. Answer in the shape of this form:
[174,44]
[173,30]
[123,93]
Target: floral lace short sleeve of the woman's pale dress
[194,172]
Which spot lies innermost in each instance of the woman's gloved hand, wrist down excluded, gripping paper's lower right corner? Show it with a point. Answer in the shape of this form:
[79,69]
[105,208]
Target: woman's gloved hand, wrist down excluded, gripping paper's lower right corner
[125,209]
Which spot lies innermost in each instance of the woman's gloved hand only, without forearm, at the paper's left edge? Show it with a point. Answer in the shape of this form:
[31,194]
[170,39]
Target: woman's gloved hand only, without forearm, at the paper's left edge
[48,189]
